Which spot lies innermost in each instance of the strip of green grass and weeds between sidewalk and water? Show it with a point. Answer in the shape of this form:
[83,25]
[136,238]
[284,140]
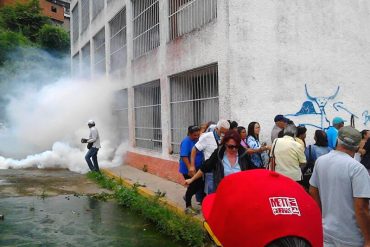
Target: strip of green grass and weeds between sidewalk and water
[181,227]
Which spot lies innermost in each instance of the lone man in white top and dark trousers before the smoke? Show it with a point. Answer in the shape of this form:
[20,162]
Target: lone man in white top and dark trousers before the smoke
[93,144]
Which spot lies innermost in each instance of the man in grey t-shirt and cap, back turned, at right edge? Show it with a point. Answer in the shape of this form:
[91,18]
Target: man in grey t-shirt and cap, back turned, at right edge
[341,187]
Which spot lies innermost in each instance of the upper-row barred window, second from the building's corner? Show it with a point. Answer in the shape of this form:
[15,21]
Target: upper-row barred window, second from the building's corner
[146,26]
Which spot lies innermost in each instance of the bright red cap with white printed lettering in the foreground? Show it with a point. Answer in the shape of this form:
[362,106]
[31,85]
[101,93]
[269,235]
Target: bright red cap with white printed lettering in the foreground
[256,207]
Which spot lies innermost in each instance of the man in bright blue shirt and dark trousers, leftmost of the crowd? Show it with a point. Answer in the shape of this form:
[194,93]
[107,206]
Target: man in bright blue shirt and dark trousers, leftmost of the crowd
[186,146]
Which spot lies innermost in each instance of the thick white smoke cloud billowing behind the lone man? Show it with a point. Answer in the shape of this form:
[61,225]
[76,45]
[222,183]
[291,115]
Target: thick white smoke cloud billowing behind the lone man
[44,125]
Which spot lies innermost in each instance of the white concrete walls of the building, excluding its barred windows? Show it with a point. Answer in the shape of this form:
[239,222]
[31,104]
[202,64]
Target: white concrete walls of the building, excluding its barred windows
[267,52]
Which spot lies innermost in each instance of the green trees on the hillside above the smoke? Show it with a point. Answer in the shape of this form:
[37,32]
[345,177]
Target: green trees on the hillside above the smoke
[24,26]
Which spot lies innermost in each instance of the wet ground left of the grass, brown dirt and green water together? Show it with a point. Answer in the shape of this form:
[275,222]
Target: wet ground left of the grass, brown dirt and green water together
[42,208]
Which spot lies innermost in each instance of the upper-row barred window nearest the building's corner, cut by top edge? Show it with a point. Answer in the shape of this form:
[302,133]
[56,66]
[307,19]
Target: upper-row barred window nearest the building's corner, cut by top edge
[188,15]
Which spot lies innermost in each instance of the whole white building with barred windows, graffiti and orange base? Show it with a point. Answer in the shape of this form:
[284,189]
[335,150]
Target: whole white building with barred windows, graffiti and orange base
[184,62]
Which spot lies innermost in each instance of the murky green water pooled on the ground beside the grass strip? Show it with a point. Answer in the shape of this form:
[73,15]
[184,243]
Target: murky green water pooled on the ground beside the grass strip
[73,221]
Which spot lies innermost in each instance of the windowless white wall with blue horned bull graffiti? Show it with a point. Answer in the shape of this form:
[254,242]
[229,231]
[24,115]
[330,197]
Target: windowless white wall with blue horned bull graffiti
[278,47]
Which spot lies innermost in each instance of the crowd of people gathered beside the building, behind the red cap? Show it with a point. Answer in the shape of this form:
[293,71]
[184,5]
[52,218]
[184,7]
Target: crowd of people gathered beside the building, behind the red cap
[335,170]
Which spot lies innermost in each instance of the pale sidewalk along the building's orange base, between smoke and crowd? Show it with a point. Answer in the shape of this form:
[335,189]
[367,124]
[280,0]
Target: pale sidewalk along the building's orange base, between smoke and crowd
[174,191]
